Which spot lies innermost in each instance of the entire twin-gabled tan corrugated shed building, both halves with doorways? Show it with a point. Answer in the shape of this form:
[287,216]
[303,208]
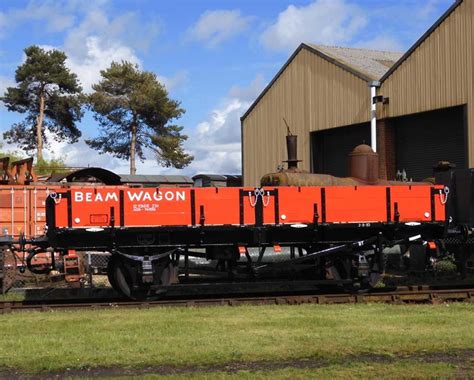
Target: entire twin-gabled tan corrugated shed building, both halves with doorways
[425,113]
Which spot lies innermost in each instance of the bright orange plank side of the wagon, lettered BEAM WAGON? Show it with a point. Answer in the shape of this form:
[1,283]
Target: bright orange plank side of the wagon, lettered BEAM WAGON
[88,208]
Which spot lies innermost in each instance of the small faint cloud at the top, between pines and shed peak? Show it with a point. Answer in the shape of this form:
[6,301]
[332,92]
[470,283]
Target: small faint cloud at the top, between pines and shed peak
[215,27]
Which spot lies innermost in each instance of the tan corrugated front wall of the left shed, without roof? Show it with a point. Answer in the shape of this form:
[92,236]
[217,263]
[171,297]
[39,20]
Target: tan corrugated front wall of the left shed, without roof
[311,94]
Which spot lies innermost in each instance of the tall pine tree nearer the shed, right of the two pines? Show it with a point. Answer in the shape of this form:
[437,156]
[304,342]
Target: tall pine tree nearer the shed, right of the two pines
[134,112]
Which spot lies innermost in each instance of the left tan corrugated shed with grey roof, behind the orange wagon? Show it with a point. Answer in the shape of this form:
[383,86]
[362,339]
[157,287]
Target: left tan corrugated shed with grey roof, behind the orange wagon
[319,88]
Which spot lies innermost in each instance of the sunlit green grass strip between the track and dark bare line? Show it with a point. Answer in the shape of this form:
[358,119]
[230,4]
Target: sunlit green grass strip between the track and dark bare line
[36,342]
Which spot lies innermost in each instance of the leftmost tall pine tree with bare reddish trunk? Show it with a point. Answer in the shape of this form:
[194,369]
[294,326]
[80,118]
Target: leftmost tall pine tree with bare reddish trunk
[50,96]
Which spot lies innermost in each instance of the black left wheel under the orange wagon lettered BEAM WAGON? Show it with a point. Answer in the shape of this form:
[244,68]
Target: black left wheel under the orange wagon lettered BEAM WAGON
[125,277]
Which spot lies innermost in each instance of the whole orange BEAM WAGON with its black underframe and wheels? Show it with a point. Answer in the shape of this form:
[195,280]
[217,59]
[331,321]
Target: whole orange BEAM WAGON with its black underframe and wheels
[338,232]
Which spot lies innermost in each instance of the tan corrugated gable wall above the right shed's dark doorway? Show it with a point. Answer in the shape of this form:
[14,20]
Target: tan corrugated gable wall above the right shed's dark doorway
[439,73]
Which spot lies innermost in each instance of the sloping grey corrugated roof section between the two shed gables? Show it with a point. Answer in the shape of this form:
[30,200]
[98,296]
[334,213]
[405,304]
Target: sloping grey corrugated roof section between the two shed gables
[373,63]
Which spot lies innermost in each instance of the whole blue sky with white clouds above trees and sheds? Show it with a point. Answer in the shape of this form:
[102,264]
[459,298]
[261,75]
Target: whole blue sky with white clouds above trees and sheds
[215,57]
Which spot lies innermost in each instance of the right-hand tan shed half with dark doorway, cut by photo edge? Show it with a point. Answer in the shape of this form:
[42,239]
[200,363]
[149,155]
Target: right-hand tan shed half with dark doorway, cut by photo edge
[430,113]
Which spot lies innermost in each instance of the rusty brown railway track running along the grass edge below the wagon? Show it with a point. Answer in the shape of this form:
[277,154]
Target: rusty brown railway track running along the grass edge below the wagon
[400,296]
